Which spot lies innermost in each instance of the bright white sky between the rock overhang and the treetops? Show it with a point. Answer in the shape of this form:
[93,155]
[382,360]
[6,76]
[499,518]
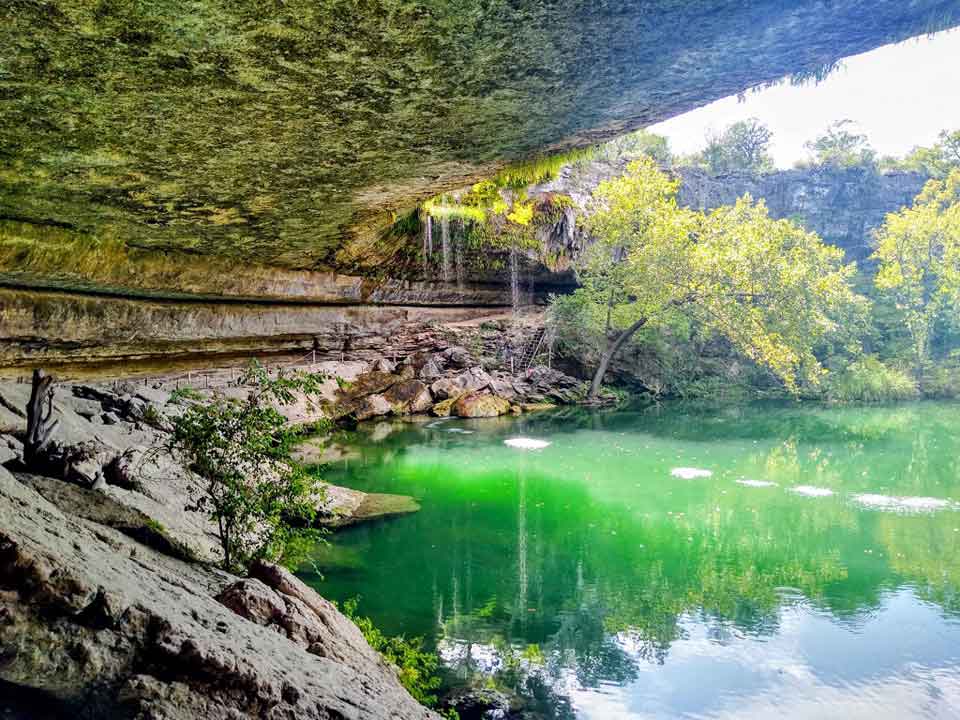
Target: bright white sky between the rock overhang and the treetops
[899,95]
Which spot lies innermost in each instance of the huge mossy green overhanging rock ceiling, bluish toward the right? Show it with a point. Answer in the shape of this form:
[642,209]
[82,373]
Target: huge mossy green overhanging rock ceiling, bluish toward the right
[292,133]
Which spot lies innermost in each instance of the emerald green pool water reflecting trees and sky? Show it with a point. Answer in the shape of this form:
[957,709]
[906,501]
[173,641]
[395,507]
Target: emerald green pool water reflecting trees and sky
[591,576]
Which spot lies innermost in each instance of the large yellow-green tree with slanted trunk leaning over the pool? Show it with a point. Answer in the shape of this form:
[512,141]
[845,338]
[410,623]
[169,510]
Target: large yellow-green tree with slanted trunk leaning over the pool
[768,286]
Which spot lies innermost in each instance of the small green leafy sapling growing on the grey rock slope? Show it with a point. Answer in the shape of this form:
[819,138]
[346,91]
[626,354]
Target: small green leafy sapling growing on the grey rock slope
[260,499]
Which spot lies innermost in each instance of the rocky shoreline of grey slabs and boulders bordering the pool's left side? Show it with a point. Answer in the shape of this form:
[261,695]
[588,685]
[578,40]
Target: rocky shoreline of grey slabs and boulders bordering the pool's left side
[109,601]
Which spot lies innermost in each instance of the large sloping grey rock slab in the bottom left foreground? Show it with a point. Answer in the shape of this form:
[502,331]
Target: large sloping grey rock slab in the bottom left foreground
[111,628]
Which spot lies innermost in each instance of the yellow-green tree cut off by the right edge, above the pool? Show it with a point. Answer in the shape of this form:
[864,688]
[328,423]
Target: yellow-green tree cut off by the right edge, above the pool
[918,251]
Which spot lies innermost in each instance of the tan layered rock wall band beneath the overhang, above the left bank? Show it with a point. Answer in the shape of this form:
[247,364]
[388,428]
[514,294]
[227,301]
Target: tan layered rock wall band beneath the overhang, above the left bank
[52,328]
